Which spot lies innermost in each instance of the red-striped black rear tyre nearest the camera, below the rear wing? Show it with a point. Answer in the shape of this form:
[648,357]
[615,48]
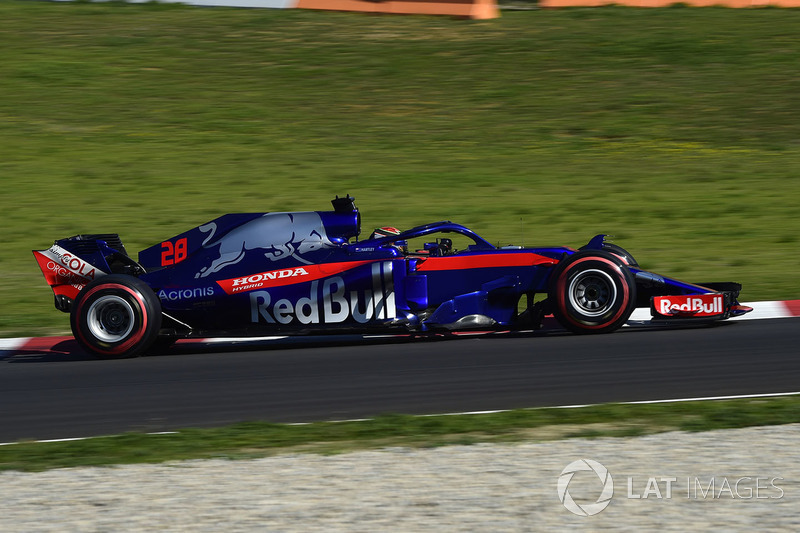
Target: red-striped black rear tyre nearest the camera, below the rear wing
[116,316]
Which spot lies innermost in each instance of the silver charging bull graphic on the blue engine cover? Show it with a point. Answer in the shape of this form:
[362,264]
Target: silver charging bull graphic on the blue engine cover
[279,235]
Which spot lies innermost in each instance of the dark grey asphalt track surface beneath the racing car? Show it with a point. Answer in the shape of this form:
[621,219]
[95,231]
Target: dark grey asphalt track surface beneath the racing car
[64,393]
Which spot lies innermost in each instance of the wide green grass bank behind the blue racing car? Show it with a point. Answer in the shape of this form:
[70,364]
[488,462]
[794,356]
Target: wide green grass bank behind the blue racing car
[676,130]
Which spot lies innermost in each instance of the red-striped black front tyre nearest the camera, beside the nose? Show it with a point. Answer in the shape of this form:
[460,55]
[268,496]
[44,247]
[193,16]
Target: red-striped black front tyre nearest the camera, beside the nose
[592,292]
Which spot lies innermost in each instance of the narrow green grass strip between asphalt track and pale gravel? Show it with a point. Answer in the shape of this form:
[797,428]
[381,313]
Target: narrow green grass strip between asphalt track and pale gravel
[259,439]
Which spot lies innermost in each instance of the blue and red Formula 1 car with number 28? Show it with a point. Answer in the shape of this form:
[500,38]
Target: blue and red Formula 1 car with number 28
[307,272]
